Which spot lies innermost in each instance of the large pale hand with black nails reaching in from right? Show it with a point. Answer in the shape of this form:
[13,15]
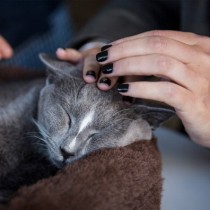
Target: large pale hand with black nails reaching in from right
[183,58]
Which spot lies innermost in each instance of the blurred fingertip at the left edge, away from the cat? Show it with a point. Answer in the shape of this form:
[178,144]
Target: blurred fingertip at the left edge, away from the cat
[6,50]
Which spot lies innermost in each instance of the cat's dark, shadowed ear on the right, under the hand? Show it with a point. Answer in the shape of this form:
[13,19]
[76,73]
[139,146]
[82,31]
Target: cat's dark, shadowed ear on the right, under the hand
[154,114]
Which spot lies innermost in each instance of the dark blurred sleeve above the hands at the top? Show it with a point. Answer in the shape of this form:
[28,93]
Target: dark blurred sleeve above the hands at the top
[121,18]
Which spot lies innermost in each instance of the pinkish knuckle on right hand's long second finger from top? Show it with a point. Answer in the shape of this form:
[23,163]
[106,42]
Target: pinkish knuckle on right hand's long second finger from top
[157,43]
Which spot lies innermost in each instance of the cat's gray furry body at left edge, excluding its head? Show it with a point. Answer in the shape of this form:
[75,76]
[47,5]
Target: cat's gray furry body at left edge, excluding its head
[19,156]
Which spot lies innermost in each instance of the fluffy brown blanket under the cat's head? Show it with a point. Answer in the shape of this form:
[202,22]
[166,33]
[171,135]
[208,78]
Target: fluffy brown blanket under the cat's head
[126,178]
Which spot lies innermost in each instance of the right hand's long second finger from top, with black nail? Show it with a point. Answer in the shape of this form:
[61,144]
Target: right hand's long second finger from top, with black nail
[147,46]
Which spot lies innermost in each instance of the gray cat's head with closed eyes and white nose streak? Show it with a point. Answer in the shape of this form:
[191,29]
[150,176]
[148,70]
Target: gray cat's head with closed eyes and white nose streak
[76,118]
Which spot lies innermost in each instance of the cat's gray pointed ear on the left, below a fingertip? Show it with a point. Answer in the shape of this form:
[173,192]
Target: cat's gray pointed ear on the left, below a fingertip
[59,69]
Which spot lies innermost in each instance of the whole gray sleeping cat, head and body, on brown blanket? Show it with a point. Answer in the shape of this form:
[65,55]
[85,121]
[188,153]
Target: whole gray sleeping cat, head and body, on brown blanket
[73,118]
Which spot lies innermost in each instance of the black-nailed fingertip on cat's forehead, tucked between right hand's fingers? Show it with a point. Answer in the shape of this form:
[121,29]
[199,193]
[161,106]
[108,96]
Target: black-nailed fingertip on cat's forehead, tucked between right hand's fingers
[105,83]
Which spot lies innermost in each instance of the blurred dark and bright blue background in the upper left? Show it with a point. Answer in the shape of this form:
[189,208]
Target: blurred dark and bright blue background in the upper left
[34,26]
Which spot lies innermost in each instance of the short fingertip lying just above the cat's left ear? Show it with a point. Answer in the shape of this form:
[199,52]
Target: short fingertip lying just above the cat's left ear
[69,54]
